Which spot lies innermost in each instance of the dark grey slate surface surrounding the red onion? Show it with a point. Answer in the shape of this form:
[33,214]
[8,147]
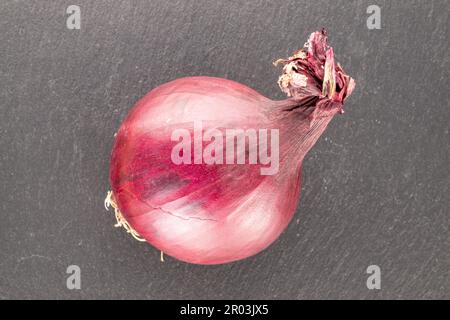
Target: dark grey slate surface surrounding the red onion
[376,186]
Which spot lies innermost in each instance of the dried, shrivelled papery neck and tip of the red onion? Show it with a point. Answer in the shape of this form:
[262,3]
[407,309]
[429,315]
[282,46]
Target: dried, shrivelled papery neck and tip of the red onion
[317,87]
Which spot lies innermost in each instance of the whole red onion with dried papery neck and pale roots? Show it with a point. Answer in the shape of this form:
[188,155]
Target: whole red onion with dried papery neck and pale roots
[176,185]
